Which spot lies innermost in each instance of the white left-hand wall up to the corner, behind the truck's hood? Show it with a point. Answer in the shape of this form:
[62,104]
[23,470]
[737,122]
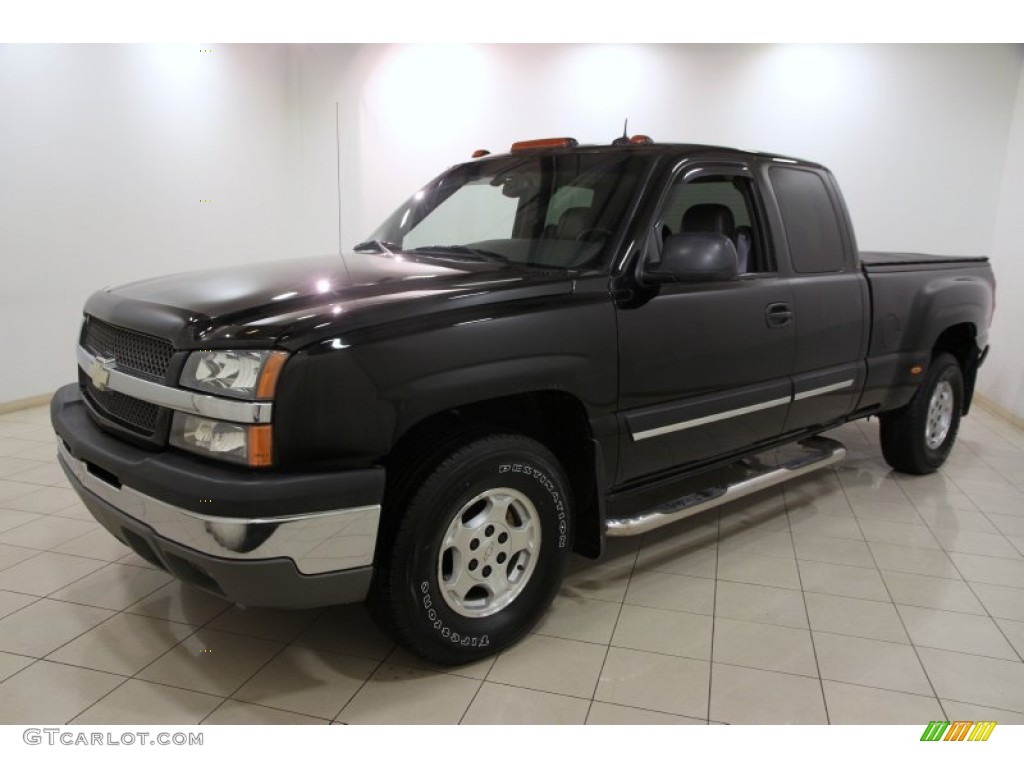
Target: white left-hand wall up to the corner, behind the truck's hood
[106,153]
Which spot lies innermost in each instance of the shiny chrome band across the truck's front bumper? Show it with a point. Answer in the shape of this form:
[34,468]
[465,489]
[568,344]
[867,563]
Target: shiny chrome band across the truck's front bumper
[317,543]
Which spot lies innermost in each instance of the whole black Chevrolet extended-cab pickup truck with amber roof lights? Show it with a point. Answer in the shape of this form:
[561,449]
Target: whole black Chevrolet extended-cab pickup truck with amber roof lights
[538,351]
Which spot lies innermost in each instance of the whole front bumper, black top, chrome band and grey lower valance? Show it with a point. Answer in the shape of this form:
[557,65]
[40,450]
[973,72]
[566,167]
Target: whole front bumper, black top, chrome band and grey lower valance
[285,540]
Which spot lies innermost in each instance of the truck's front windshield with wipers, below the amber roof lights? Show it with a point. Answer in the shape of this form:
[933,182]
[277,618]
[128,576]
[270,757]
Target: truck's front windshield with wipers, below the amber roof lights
[553,211]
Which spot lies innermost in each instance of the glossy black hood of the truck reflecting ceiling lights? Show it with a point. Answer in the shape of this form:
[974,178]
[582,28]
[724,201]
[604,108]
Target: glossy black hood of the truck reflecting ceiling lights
[295,303]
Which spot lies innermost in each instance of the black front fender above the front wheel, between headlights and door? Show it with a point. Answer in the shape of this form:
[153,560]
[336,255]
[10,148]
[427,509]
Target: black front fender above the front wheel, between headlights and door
[353,399]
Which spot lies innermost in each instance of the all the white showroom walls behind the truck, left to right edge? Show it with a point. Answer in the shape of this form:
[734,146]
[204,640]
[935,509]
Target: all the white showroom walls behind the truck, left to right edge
[113,147]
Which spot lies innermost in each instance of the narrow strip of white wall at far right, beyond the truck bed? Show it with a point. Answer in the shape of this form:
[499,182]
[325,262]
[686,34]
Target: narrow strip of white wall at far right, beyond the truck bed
[1003,377]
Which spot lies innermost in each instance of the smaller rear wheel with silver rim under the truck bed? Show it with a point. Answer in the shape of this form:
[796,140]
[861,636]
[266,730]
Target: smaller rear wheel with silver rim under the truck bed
[918,439]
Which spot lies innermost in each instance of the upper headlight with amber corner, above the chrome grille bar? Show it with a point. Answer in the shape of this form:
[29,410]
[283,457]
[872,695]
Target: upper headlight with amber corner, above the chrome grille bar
[243,374]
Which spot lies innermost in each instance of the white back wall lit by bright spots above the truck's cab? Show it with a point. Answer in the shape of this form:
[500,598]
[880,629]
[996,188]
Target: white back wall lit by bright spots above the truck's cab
[916,135]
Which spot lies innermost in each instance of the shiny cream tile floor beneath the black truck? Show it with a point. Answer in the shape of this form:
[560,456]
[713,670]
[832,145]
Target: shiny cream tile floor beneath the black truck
[856,595]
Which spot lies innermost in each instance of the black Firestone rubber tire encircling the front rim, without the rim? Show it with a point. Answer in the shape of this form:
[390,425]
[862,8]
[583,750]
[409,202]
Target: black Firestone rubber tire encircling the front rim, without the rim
[533,473]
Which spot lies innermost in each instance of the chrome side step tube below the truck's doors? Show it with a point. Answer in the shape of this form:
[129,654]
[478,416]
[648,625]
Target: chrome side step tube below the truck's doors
[816,453]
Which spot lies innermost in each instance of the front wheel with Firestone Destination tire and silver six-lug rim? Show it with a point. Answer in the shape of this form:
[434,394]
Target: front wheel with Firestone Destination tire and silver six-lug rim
[480,552]
